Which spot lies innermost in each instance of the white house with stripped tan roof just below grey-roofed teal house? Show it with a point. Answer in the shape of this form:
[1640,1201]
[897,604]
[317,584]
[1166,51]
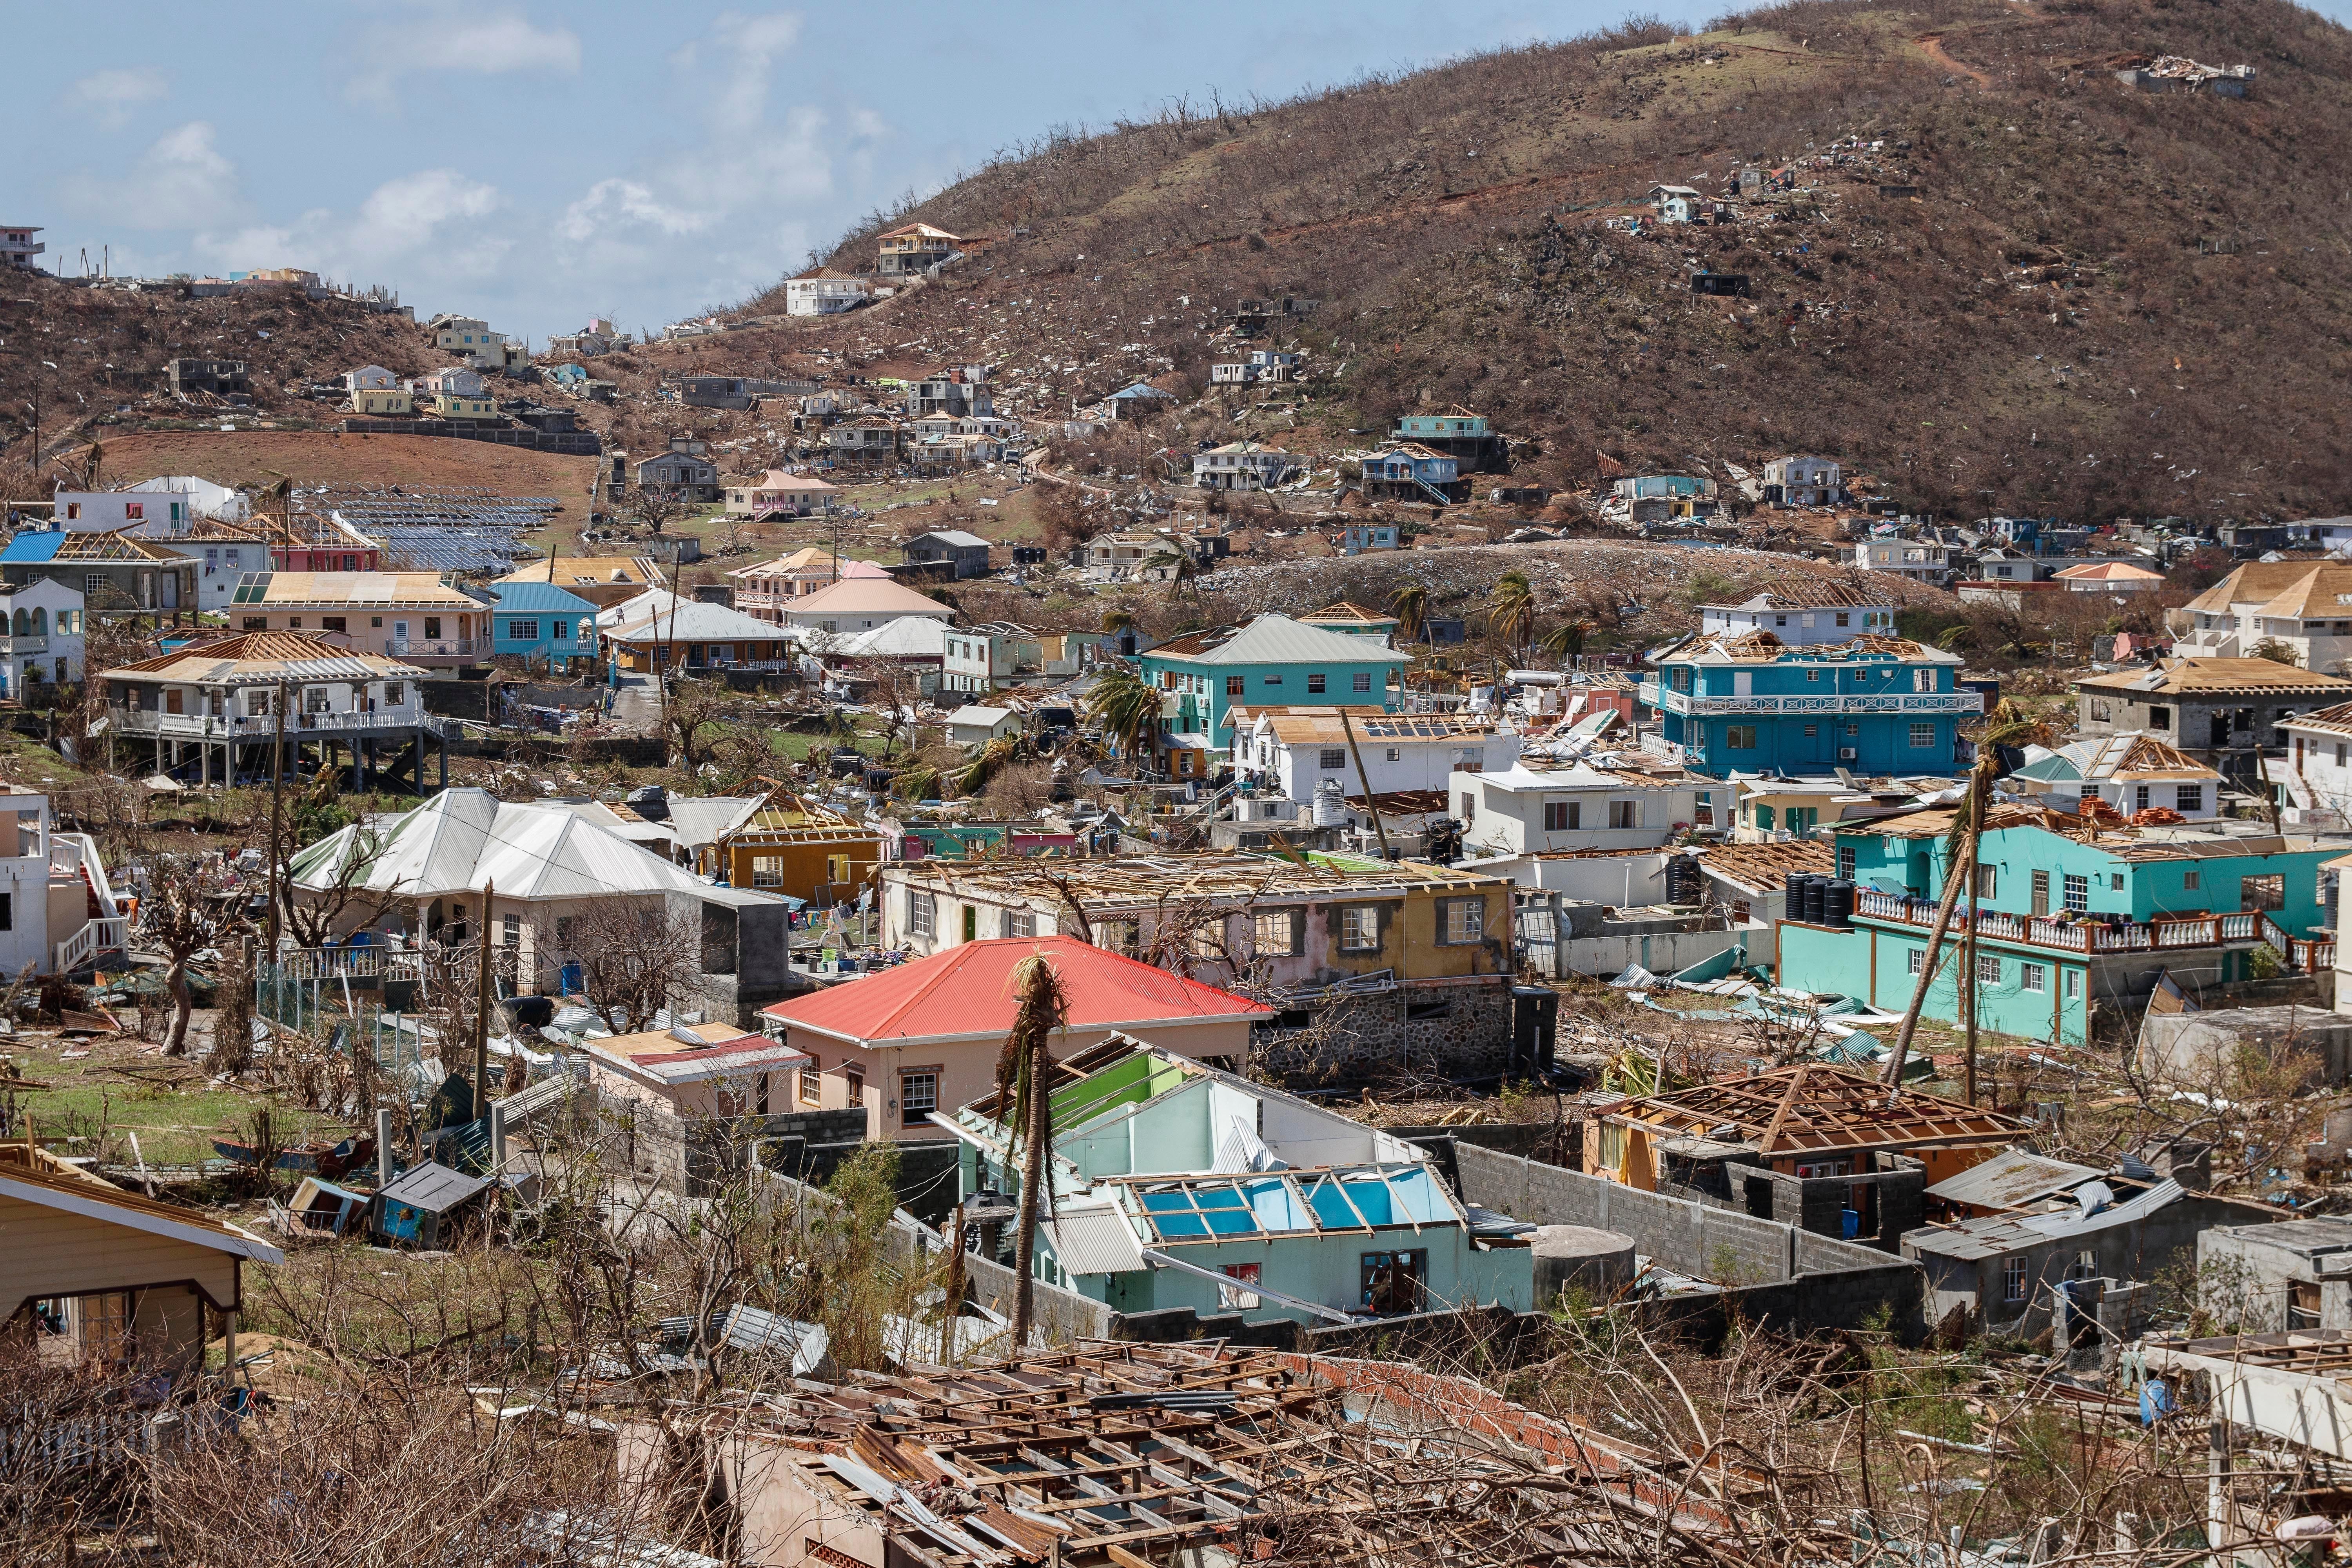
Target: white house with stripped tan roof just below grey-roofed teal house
[1288,751]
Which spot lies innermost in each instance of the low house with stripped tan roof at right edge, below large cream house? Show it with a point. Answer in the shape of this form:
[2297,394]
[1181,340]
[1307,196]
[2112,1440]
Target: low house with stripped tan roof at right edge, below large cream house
[2217,711]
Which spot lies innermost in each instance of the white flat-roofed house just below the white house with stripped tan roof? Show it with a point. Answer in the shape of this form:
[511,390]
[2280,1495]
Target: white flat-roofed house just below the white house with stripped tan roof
[1521,812]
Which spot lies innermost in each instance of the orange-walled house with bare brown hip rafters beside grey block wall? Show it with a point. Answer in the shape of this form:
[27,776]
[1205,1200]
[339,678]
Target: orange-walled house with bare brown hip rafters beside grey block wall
[1815,1146]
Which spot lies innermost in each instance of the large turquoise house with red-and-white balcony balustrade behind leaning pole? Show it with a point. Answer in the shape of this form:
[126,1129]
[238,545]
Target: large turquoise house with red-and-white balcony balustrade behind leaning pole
[2064,920]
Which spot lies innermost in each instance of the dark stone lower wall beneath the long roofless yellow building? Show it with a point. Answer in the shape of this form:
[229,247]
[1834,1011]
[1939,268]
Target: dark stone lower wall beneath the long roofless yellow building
[1368,1040]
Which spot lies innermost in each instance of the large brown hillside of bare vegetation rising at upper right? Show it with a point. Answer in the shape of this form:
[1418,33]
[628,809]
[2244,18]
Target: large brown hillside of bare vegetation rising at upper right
[2104,302]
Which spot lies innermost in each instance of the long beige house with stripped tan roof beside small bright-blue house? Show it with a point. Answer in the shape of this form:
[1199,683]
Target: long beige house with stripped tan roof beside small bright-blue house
[413,617]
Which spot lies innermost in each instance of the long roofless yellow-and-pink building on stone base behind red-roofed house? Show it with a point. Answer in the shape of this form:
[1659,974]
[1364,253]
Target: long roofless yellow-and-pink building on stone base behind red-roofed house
[1403,956]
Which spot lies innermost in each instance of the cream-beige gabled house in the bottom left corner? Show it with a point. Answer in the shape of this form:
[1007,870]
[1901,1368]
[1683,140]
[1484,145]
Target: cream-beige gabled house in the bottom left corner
[105,1275]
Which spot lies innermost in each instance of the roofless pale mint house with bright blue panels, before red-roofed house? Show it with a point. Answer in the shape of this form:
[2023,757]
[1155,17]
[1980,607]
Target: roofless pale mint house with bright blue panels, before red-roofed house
[1182,1186]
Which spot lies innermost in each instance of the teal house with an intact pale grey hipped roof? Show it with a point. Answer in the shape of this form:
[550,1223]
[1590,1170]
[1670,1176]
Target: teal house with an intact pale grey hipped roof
[1271,662]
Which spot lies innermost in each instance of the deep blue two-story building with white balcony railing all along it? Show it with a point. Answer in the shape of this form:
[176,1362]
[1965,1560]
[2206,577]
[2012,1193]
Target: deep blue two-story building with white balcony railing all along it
[1756,706]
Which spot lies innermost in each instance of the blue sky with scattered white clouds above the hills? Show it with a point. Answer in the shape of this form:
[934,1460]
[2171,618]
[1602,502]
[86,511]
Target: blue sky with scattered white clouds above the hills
[544,163]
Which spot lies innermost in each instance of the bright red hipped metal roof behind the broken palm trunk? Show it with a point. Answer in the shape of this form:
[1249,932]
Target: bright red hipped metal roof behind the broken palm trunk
[968,993]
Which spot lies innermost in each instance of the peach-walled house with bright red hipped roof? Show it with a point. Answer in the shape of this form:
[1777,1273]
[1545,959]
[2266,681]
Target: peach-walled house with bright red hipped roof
[926,1036]
